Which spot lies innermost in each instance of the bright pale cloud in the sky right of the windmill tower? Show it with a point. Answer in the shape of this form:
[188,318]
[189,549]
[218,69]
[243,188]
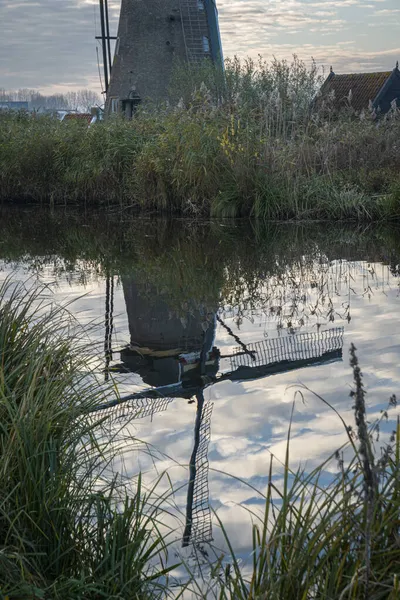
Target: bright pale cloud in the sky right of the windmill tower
[268,25]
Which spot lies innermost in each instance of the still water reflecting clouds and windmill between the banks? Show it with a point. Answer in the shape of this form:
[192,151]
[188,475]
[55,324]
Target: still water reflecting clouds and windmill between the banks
[227,321]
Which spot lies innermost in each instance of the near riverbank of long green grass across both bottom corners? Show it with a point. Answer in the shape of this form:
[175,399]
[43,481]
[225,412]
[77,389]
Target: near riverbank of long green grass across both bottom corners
[70,528]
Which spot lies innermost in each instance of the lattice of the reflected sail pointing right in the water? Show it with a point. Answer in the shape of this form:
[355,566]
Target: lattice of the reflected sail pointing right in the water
[300,347]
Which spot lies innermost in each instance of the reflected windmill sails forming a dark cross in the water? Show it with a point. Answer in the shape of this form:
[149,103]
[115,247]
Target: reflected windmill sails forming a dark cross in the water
[258,360]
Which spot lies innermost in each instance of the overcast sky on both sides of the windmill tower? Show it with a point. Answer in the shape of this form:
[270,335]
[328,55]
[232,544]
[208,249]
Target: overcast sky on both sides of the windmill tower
[50,45]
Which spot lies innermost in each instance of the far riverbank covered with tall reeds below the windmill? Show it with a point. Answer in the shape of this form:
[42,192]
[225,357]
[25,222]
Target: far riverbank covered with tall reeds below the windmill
[254,151]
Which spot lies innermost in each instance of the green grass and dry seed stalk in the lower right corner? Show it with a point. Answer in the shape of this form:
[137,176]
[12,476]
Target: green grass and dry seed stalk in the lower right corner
[327,542]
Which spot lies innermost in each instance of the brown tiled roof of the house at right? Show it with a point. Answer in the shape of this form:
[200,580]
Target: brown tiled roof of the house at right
[364,87]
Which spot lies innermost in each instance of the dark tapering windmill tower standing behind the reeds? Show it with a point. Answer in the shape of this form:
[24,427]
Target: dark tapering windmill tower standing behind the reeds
[153,35]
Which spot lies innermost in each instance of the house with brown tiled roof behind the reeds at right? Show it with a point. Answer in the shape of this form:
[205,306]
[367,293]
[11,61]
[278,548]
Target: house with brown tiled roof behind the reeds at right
[361,91]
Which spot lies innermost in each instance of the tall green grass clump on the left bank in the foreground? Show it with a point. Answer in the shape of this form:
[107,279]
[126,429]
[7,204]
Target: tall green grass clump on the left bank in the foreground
[67,528]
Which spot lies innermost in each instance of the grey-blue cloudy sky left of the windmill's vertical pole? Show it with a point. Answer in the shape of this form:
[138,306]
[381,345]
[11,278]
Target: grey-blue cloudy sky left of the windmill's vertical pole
[47,43]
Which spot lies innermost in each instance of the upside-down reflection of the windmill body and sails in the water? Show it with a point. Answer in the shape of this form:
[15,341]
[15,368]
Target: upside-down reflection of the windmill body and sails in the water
[178,358]
